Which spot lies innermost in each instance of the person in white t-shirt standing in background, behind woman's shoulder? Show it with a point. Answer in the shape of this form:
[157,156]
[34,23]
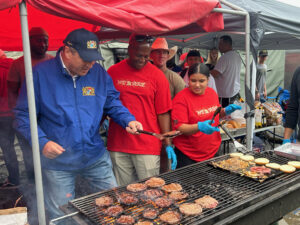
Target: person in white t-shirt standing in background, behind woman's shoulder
[227,72]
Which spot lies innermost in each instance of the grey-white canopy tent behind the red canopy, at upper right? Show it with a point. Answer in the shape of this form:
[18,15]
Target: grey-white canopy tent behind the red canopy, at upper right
[274,25]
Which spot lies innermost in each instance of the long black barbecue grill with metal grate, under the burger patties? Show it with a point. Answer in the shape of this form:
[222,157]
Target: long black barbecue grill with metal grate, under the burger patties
[237,196]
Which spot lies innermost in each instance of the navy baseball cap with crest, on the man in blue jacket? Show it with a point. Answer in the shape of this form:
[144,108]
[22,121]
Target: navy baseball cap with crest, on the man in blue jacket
[85,42]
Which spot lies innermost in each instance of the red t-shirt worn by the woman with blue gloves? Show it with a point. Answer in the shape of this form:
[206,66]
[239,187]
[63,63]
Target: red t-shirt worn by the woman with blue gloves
[189,108]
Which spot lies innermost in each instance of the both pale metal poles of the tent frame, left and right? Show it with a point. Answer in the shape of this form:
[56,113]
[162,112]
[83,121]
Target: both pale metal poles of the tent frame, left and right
[31,98]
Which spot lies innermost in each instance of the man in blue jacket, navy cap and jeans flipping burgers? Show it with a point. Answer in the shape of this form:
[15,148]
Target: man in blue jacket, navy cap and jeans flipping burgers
[72,93]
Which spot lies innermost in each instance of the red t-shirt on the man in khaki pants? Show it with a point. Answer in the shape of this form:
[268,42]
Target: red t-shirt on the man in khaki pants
[146,94]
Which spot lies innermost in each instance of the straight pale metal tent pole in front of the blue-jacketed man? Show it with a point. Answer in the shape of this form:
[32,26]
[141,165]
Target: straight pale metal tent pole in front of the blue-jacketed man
[32,114]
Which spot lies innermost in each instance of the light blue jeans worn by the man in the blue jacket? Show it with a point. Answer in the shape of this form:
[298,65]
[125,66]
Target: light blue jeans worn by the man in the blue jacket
[59,186]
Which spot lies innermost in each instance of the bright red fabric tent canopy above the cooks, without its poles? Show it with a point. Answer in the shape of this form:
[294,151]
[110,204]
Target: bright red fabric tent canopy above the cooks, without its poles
[153,17]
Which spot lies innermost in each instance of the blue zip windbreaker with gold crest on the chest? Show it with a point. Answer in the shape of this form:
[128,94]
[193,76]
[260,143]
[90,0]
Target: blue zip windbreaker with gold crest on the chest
[69,113]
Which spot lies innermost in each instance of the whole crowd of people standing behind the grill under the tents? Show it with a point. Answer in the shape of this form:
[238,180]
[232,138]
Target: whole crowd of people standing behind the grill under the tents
[73,94]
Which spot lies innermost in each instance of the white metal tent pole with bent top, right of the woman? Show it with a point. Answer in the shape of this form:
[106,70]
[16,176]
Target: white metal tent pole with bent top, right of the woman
[242,12]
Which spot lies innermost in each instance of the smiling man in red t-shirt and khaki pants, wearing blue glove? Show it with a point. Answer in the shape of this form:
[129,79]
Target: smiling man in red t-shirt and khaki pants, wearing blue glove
[144,90]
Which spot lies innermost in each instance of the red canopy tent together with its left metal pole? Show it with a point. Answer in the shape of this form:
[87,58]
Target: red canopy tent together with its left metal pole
[139,16]
